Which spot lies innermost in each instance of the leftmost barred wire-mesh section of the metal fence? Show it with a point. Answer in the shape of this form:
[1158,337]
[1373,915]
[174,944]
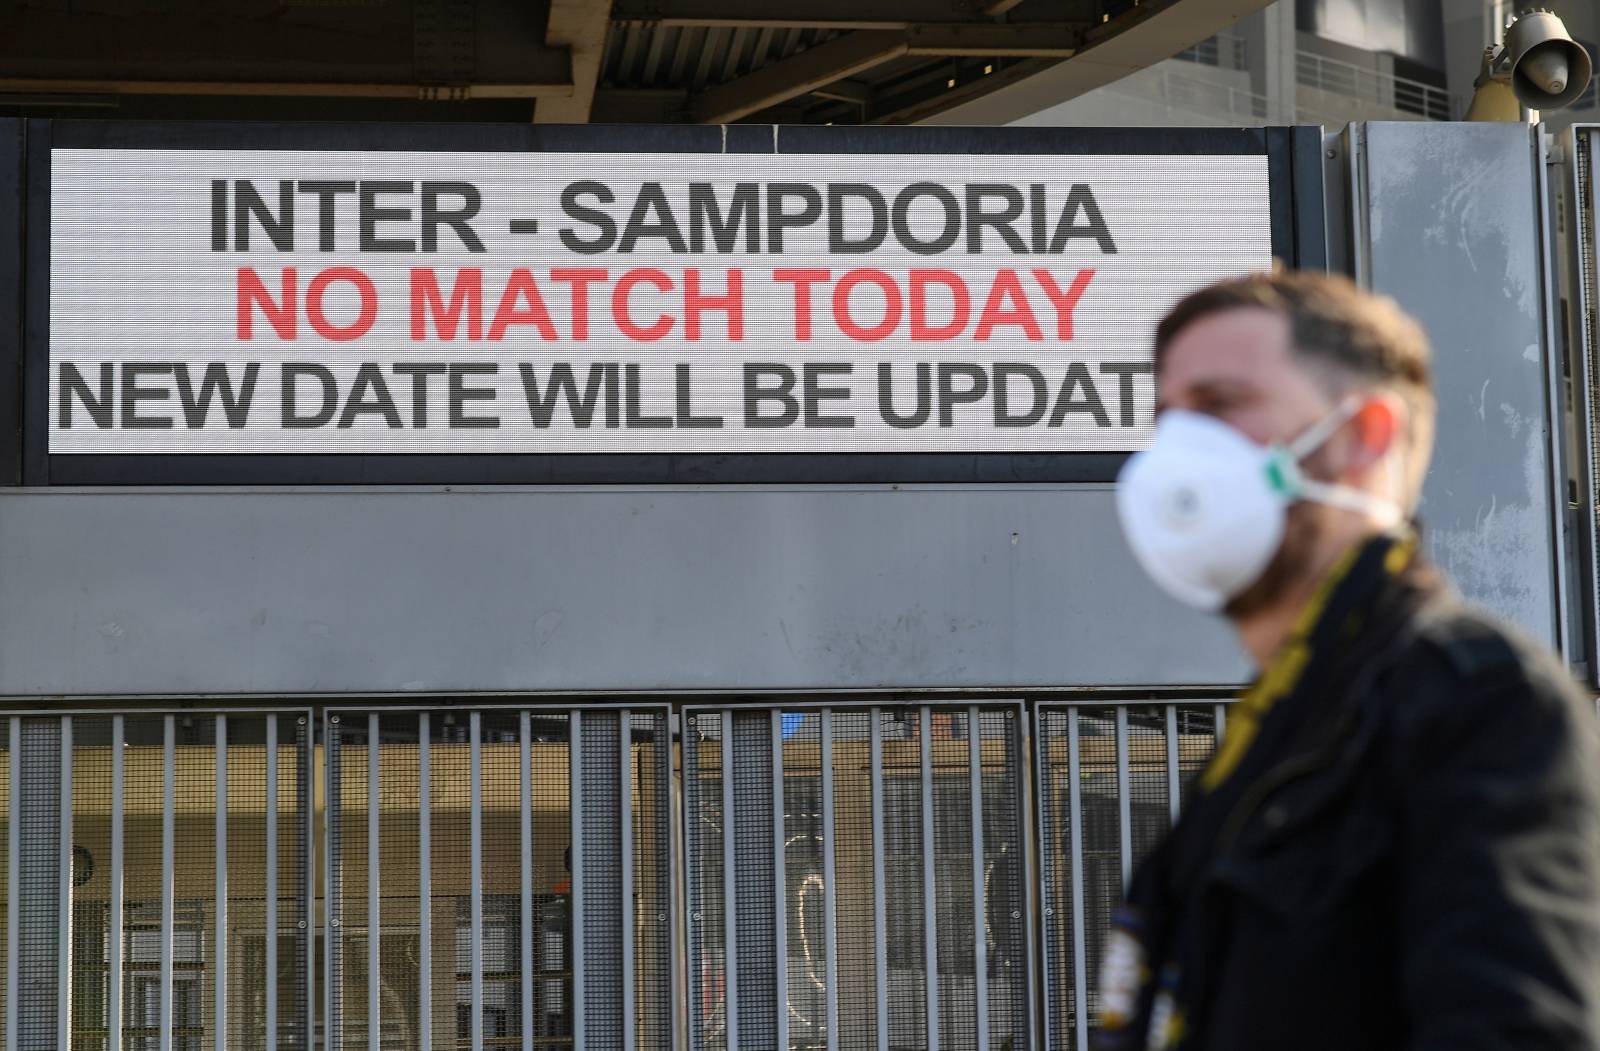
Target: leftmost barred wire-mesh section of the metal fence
[156,881]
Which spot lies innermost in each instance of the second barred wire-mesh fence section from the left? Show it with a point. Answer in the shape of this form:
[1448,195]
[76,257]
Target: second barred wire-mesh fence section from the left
[463,844]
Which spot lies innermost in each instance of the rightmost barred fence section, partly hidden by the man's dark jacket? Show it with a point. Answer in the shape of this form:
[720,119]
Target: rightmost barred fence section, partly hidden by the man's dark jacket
[1111,781]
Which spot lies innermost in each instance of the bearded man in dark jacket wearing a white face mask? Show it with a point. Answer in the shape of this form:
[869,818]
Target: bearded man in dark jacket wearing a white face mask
[1398,844]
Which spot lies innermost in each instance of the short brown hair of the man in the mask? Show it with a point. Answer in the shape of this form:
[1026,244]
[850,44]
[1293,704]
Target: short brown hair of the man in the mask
[1346,338]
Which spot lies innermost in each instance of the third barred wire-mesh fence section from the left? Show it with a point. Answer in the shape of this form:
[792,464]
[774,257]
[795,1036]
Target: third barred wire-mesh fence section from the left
[857,877]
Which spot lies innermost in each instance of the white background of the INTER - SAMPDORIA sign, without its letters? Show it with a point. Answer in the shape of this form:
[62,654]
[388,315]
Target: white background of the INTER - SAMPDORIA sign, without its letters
[135,279]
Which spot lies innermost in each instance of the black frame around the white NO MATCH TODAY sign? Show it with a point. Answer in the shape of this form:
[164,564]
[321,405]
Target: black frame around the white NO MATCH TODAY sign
[1298,239]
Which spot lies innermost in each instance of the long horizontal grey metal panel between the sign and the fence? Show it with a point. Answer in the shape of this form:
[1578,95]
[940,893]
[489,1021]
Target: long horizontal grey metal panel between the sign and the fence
[313,591]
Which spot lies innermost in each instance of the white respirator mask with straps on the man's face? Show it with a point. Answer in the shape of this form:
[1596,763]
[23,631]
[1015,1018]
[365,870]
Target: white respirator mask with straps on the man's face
[1206,508]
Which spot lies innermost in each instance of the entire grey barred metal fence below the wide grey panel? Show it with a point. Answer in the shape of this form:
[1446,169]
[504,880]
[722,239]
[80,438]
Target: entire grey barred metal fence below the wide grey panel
[799,877]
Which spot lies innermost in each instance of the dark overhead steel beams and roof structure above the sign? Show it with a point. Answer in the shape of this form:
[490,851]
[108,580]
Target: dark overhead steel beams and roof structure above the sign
[577,62]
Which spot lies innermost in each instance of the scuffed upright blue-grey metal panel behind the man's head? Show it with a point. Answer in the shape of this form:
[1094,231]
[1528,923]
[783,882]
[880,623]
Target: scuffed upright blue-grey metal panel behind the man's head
[1452,231]
